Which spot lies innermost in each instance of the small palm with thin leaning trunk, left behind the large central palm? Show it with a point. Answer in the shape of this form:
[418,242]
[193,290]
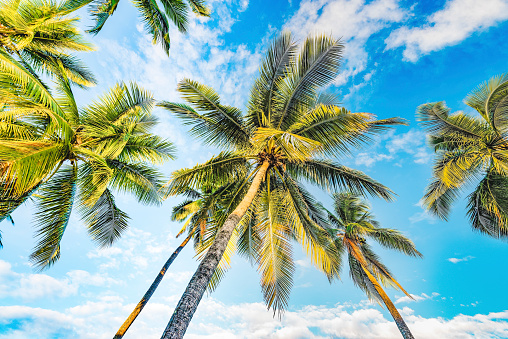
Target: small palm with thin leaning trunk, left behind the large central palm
[200,209]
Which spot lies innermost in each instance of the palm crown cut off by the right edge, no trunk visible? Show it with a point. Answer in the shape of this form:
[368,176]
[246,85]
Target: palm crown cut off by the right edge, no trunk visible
[471,149]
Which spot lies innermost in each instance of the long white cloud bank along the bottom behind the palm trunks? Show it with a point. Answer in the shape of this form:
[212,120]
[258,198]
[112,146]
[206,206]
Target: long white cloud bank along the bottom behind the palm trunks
[214,319]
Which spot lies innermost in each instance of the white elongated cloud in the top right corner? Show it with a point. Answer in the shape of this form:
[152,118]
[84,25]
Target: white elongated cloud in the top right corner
[458,20]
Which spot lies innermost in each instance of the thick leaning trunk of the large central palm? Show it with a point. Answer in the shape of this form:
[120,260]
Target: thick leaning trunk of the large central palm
[196,288]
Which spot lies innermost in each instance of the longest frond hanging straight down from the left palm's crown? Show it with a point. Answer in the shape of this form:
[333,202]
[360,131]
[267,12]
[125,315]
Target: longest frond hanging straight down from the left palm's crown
[54,205]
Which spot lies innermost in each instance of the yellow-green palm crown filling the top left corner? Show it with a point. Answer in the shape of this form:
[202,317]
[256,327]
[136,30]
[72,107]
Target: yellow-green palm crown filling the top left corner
[40,35]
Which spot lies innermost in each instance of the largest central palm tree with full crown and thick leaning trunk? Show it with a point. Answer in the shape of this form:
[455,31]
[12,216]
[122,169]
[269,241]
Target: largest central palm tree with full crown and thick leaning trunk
[279,142]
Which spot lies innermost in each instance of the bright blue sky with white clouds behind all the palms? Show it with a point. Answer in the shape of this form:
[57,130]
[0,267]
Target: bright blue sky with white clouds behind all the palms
[399,54]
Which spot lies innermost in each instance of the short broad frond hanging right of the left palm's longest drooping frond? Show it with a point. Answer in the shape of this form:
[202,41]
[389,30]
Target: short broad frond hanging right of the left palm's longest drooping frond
[104,220]
